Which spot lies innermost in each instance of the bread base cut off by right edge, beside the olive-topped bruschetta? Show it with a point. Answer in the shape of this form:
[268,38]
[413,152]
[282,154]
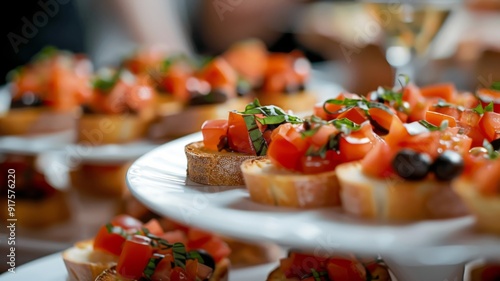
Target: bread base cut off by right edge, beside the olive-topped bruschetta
[486,209]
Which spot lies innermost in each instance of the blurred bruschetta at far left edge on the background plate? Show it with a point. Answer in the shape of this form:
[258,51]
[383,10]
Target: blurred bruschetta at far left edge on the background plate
[47,93]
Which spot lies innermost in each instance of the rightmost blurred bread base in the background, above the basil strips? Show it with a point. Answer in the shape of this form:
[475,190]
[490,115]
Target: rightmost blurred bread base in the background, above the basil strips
[297,102]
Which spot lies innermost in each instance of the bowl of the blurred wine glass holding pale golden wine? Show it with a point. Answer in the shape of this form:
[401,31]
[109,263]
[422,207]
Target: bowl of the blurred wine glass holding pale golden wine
[409,28]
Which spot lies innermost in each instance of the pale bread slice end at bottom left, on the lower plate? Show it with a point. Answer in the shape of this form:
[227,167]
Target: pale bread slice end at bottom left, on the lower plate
[83,263]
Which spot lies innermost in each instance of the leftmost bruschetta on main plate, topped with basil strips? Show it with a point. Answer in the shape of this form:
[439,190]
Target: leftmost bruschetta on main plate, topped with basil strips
[227,143]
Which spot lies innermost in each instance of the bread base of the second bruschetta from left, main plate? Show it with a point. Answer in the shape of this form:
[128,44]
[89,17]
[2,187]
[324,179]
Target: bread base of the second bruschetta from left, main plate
[273,186]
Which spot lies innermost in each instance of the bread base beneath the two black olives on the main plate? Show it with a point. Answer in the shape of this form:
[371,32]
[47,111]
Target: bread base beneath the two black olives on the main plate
[395,199]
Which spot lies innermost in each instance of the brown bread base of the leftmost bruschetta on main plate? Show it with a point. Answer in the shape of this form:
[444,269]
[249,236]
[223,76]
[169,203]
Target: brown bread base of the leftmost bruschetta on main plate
[212,167]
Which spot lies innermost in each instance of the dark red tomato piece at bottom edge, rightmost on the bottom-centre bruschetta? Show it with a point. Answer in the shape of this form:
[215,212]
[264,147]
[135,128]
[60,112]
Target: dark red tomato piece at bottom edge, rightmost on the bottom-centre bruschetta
[345,269]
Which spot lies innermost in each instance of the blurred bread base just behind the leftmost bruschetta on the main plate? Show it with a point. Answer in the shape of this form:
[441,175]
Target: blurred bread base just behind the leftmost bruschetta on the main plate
[175,123]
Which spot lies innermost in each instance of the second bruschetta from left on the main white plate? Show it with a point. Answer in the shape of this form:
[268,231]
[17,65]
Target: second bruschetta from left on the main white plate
[300,169]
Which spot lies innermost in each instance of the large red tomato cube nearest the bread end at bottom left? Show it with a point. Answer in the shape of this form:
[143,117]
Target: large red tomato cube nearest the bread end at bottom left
[135,257]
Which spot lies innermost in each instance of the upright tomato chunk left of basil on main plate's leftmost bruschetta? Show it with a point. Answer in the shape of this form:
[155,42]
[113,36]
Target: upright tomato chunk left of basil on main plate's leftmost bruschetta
[237,134]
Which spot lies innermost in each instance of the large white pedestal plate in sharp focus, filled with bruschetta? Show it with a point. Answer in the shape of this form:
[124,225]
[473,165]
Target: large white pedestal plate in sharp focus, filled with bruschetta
[398,170]
